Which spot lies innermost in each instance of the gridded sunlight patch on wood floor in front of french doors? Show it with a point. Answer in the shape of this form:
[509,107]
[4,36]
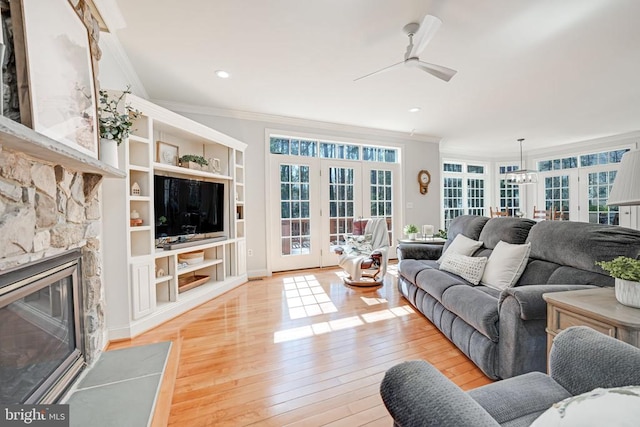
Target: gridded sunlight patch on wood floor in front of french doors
[306,297]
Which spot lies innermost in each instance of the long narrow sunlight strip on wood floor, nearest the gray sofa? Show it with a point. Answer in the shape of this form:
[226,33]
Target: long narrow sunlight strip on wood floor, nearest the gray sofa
[339,324]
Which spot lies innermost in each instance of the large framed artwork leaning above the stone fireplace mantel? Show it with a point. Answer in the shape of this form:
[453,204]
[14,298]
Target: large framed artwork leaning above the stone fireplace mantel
[61,105]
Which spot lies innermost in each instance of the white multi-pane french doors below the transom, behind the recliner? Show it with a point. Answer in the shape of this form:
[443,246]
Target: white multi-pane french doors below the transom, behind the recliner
[313,204]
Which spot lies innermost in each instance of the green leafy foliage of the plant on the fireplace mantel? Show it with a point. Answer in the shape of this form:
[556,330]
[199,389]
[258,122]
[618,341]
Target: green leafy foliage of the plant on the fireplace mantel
[116,121]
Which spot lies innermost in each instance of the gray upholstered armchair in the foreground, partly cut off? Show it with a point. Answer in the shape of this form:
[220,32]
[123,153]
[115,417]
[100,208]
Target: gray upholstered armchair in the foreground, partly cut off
[417,394]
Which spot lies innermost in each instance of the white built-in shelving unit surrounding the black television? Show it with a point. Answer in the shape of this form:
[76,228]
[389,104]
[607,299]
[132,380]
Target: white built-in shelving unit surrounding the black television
[144,285]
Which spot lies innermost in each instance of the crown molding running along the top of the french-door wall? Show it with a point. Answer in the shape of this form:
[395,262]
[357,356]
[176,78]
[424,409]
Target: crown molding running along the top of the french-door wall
[293,121]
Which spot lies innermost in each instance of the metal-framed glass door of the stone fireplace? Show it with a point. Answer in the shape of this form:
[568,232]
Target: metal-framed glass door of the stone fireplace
[38,334]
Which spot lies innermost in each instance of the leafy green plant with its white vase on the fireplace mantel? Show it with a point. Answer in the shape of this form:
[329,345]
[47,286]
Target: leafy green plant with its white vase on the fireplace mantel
[116,120]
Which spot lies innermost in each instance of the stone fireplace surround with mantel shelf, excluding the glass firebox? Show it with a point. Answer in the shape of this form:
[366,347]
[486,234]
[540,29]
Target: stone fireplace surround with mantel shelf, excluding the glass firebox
[50,202]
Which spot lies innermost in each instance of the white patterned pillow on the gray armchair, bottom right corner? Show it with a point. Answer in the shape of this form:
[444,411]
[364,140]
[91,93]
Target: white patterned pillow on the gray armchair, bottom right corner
[618,406]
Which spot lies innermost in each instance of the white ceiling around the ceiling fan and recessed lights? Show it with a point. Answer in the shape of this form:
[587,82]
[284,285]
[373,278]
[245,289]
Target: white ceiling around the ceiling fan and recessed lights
[550,71]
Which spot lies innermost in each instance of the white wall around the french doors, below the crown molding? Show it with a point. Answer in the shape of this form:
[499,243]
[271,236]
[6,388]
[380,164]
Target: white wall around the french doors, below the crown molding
[416,155]
